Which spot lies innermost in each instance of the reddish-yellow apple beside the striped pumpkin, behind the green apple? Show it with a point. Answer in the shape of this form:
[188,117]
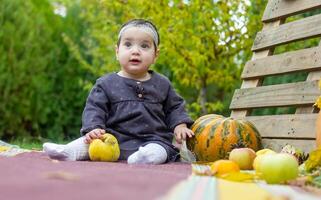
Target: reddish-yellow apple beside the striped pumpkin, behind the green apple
[244,157]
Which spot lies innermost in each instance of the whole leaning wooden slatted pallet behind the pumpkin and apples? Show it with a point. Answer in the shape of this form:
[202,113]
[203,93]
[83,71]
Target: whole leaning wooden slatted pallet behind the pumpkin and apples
[278,130]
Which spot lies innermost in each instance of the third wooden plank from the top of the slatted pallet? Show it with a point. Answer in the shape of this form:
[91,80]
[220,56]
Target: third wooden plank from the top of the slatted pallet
[301,60]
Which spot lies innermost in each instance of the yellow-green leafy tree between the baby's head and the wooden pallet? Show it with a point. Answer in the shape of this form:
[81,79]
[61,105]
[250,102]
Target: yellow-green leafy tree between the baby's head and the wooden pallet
[202,49]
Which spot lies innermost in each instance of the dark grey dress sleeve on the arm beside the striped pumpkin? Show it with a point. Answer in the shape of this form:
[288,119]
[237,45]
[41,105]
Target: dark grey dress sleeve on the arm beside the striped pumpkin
[175,110]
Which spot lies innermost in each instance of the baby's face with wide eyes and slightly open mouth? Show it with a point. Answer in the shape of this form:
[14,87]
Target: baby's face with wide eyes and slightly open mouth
[136,51]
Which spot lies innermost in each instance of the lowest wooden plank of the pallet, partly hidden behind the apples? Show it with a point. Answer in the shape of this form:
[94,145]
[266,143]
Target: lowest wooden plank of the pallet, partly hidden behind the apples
[277,144]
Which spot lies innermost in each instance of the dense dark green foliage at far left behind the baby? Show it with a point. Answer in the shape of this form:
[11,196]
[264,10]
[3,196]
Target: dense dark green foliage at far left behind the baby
[41,89]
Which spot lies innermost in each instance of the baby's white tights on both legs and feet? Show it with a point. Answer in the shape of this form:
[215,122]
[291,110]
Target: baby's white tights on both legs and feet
[152,153]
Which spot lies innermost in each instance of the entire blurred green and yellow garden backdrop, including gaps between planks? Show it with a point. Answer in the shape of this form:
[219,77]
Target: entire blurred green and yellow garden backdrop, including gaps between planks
[52,51]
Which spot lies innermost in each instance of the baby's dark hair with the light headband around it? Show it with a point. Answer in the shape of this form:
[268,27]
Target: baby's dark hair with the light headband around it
[141,23]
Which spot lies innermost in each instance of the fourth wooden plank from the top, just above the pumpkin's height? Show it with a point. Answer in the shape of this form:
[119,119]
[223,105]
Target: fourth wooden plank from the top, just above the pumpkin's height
[290,94]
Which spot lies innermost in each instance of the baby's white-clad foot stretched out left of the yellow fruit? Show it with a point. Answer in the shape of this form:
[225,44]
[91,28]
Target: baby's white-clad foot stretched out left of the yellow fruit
[58,151]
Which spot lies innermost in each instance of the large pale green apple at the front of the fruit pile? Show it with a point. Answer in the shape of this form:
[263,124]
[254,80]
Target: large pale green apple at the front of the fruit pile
[277,168]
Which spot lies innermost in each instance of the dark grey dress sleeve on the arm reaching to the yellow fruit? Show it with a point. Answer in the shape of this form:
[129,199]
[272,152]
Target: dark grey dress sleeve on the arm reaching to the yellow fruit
[96,110]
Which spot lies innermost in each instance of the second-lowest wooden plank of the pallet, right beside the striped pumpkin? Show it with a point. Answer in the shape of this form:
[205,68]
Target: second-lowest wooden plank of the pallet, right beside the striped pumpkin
[285,126]
